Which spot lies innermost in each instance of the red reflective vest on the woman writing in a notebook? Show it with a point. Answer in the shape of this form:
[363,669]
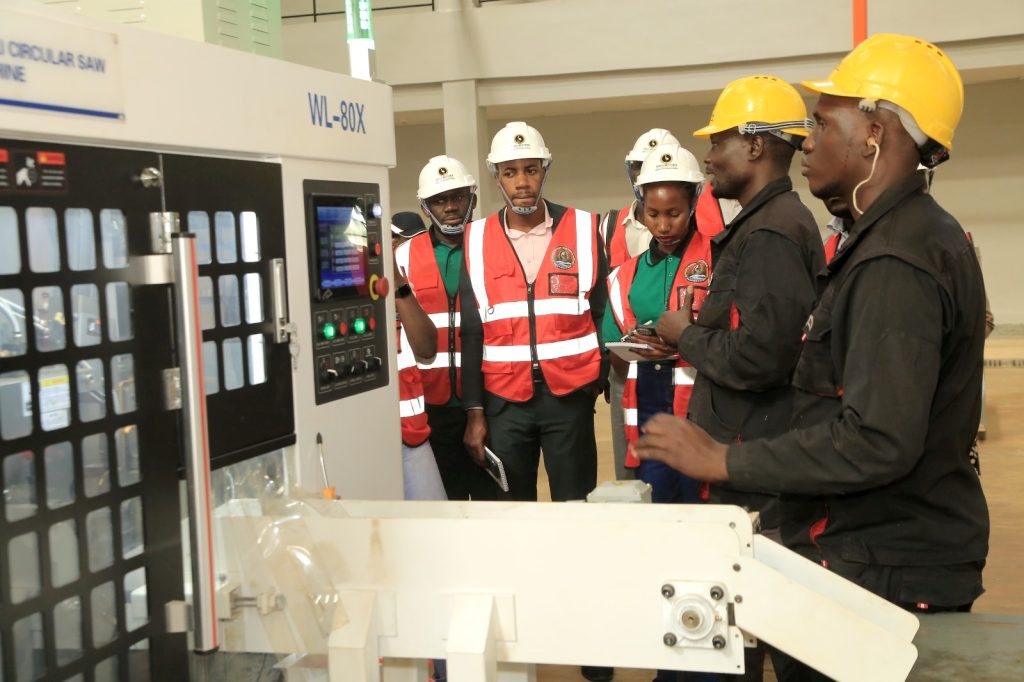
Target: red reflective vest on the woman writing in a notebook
[695,271]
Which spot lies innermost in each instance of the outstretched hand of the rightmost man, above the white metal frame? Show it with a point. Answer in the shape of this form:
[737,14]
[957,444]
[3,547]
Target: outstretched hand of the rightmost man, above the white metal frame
[685,447]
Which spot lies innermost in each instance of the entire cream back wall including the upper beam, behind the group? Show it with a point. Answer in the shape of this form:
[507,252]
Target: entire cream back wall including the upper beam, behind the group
[592,75]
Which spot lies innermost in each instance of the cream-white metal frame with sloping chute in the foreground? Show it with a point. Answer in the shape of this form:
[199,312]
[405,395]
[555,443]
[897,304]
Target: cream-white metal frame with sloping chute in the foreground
[517,585]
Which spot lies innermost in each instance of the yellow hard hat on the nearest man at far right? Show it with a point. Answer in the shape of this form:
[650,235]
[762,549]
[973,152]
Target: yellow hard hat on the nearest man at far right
[908,72]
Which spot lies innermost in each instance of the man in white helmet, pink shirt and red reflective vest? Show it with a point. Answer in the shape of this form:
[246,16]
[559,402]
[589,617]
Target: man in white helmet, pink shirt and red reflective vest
[533,300]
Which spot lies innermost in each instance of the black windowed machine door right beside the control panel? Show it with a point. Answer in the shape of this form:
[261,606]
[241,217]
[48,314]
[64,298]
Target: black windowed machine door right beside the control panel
[235,209]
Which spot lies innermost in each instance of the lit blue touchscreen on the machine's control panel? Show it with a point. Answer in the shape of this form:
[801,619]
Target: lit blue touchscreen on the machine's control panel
[342,236]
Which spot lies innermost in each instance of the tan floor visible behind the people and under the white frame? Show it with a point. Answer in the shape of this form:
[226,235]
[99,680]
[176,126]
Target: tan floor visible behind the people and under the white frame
[1003,478]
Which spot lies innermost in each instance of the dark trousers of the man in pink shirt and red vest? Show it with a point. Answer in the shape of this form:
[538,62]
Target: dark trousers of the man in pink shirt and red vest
[563,428]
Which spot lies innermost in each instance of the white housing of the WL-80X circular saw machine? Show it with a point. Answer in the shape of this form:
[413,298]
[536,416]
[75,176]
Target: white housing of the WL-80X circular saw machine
[186,97]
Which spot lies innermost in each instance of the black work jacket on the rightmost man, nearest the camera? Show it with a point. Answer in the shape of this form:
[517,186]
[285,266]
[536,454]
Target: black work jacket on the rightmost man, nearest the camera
[888,405]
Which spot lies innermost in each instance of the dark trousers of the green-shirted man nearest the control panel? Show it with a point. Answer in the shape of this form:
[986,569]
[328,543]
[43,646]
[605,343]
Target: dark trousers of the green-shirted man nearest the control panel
[462,478]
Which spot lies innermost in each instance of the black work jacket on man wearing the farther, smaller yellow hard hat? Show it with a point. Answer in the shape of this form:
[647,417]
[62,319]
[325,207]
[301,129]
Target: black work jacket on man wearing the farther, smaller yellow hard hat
[747,339]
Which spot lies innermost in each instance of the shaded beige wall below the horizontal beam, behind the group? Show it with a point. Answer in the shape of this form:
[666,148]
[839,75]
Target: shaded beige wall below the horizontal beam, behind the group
[983,185]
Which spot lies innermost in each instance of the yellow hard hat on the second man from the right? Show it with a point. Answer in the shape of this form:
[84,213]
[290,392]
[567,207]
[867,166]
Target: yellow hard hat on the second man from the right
[758,104]
